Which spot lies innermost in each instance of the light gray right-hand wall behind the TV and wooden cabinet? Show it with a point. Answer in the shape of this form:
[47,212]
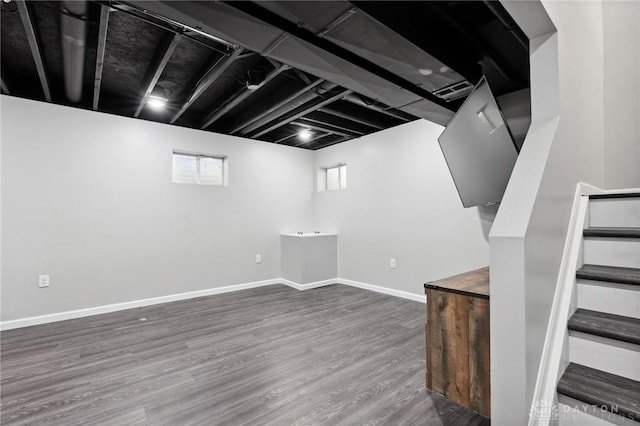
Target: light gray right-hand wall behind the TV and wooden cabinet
[400,203]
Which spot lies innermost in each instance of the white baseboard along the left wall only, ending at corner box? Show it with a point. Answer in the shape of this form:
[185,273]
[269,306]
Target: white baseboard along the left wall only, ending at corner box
[79,313]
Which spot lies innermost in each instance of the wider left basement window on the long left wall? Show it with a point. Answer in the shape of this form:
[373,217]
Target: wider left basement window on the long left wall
[199,169]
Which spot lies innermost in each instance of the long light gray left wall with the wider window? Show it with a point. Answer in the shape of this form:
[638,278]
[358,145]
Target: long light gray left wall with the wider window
[87,198]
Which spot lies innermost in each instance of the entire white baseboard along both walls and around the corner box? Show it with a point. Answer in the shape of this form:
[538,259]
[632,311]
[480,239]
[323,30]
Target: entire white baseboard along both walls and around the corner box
[80,313]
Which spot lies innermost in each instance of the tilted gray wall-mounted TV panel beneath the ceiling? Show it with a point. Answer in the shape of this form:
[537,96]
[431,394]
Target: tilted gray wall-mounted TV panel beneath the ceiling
[479,149]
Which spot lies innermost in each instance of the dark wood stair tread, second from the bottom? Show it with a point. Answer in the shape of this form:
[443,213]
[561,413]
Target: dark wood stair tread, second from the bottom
[617,327]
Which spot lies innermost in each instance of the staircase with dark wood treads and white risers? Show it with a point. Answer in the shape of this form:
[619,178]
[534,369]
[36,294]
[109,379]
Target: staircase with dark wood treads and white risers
[603,376]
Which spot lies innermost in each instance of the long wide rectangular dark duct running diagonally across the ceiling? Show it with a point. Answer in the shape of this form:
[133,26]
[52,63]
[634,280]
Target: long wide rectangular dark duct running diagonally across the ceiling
[304,50]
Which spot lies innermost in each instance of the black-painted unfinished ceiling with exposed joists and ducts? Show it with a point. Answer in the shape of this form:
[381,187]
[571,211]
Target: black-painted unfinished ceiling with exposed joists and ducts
[263,70]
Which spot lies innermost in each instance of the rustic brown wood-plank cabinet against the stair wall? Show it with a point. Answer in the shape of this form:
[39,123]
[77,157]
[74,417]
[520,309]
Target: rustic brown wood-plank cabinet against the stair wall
[457,332]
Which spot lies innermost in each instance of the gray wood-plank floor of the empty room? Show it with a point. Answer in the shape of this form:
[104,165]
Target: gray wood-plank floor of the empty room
[274,355]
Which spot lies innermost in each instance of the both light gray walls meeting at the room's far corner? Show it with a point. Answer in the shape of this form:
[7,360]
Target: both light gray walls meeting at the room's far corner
[88,199]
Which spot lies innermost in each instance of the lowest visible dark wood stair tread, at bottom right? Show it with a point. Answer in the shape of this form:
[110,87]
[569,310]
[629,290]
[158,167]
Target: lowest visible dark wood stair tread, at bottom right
[616,394]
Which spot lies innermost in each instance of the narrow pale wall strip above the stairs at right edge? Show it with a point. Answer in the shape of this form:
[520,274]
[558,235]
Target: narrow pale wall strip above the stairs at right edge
[621,20]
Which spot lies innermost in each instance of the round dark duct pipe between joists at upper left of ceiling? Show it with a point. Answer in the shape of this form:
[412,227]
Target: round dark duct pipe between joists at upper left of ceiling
[73,32]
